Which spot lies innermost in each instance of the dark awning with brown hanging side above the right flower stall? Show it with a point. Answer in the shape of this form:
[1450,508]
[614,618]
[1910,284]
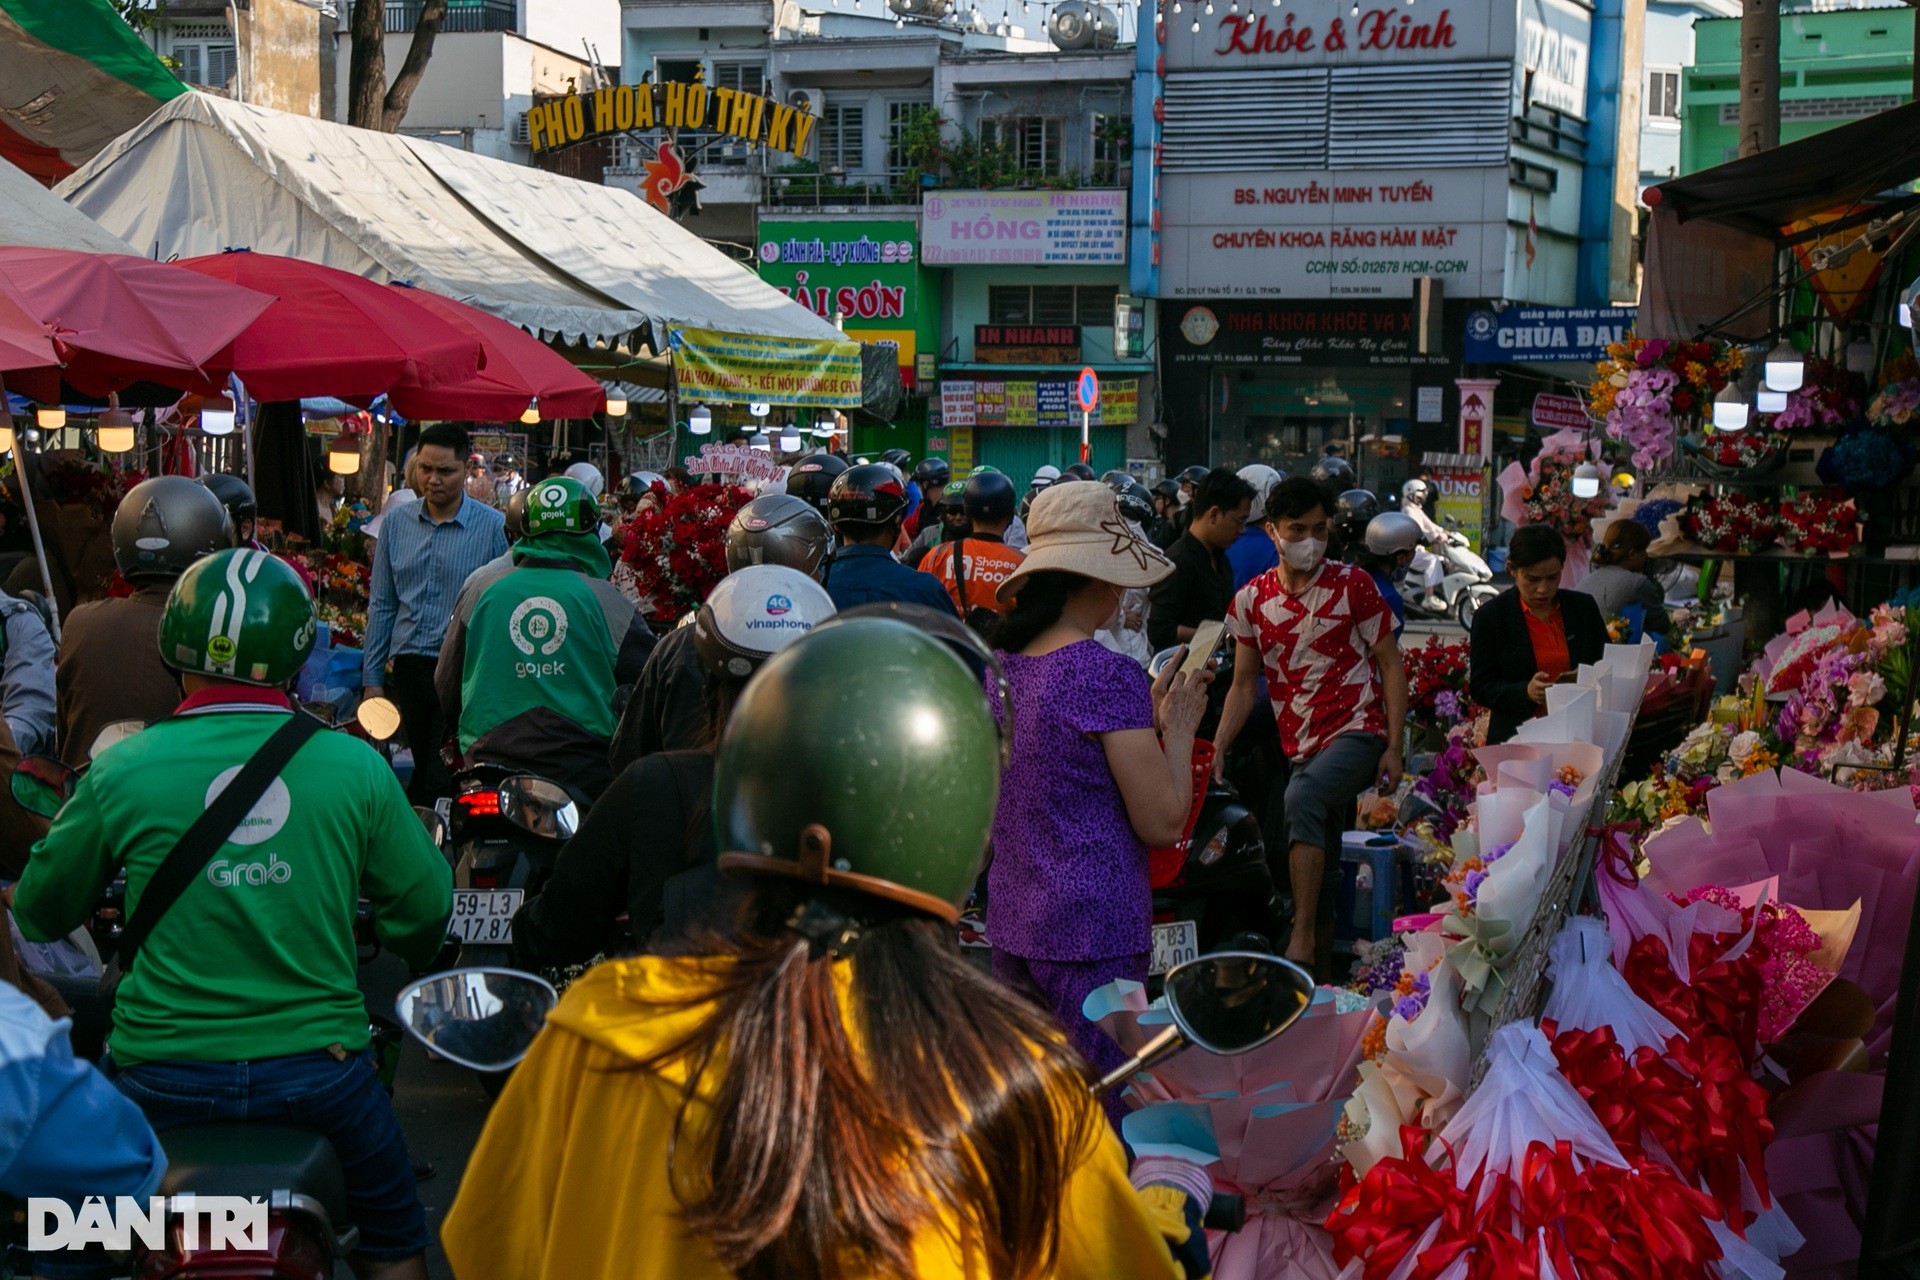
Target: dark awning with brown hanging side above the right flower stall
[1716,235]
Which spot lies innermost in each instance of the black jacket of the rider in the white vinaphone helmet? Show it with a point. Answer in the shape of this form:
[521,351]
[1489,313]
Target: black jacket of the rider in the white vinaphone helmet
[646,849]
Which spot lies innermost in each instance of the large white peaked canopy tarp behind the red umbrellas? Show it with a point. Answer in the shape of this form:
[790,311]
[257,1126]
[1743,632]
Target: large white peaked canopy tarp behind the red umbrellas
[556,256]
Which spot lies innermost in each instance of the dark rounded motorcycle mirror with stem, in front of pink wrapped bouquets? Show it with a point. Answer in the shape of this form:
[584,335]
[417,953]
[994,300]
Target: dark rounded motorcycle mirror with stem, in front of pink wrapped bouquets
[1226,1003]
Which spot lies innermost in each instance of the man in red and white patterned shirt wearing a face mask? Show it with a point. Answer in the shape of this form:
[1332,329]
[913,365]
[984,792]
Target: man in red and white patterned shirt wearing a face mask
[1326,642]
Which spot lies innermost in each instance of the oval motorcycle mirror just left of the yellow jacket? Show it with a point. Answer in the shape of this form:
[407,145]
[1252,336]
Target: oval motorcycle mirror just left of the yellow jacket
[485,1020]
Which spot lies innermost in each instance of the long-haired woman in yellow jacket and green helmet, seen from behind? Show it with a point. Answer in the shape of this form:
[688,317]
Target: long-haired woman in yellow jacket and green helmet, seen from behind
[827,1091]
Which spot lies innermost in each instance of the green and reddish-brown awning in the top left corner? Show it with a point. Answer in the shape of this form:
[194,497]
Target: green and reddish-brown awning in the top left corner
[76,78]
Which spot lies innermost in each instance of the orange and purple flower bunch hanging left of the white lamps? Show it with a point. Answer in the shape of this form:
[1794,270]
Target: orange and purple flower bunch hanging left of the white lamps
[1646,391]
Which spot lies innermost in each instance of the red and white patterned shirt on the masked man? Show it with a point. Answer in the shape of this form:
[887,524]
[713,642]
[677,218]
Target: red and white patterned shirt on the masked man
[1318,653]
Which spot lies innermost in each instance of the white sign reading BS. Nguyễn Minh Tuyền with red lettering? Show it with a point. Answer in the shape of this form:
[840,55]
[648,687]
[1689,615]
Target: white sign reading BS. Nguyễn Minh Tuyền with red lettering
[1333,233]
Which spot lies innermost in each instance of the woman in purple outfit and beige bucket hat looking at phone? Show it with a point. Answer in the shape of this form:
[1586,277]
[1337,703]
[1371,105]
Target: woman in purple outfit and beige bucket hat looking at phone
[1092,786]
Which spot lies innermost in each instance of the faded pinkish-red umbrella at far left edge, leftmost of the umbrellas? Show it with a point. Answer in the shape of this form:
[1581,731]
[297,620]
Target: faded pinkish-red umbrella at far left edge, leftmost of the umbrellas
[120,320]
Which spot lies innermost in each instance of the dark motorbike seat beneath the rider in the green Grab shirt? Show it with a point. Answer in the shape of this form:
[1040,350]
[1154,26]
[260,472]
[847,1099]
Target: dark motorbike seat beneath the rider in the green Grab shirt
[251,1158]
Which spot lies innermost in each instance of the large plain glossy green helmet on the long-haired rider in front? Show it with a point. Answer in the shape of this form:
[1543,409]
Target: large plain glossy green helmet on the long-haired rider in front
[861,757]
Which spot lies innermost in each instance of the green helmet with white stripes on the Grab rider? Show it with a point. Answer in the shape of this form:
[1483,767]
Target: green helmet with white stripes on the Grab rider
[239,615]
